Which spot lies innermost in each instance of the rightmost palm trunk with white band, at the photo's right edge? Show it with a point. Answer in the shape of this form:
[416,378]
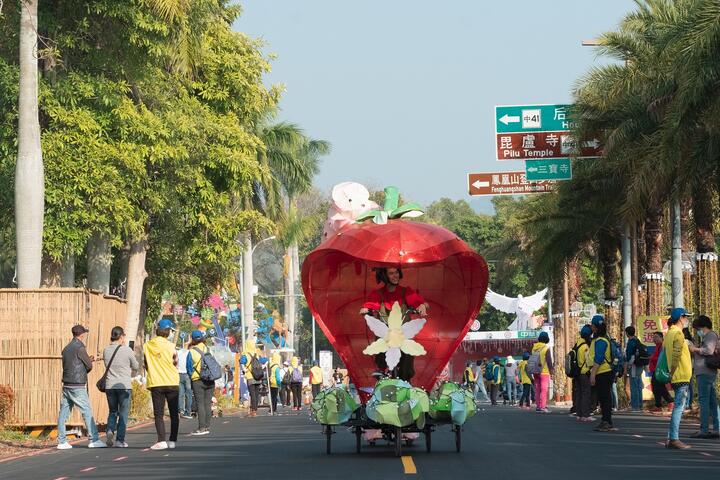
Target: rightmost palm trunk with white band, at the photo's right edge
[708,296]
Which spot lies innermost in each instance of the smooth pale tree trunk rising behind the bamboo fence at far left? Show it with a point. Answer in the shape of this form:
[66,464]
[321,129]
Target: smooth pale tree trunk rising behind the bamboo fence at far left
[29,174]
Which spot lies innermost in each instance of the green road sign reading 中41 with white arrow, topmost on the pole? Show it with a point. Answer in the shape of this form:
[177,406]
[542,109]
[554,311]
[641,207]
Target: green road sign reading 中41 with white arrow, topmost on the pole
[532,118]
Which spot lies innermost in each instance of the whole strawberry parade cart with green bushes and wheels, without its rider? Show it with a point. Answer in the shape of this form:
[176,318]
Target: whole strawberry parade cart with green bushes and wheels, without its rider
[339,275]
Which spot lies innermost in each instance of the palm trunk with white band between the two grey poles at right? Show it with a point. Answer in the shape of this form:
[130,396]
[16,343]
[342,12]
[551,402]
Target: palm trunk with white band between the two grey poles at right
[653,257]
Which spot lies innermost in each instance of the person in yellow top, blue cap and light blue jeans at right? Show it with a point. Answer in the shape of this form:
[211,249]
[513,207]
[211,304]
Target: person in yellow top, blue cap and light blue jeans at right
[680,367]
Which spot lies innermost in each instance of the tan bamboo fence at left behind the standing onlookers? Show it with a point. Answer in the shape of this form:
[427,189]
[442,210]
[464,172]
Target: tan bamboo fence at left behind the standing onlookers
[34,328]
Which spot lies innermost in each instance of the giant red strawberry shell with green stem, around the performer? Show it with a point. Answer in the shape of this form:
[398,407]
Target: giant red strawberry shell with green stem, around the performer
[338,276]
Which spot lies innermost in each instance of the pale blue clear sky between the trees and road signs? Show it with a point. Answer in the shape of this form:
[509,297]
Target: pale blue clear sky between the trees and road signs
[405,90]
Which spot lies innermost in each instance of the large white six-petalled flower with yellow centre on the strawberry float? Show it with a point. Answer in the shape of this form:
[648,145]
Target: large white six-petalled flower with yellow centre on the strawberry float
[395,337]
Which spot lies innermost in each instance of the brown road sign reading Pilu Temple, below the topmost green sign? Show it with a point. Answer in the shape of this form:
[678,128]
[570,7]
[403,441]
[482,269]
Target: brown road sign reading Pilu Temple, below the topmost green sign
[539,145]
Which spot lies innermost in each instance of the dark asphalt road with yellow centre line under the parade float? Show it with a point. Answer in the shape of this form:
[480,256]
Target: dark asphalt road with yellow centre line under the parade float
[501,442]
